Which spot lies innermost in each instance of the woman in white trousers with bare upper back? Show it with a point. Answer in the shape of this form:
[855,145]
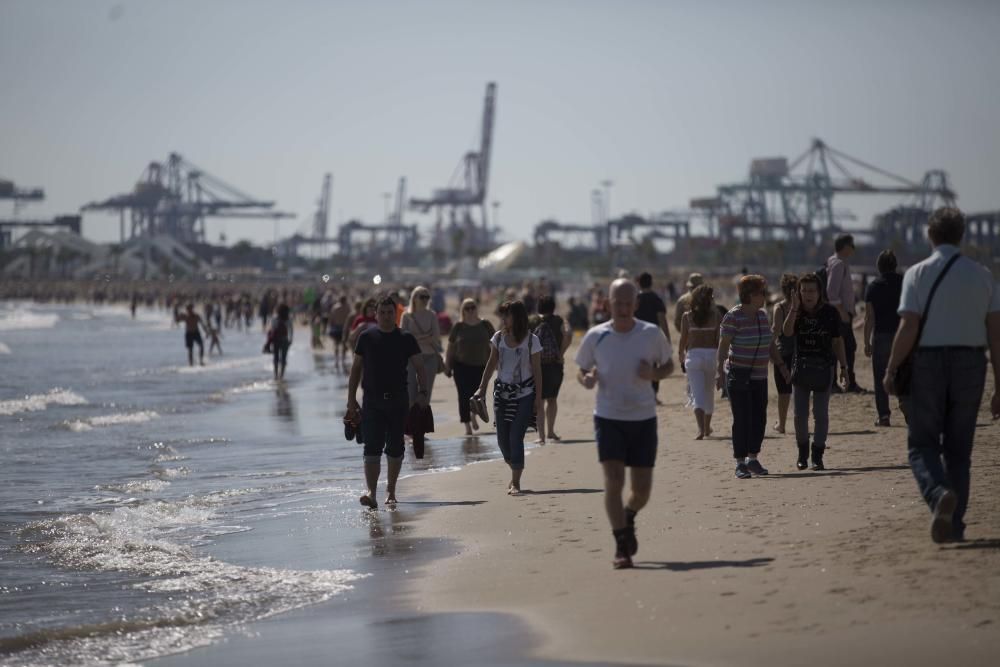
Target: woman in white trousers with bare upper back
[697,351]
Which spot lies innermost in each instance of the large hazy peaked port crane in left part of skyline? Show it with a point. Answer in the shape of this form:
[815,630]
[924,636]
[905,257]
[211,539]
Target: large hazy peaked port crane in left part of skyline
[174,198]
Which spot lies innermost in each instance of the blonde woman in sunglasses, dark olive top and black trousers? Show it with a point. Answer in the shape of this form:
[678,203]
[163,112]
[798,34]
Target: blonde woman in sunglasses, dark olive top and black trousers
[465,361]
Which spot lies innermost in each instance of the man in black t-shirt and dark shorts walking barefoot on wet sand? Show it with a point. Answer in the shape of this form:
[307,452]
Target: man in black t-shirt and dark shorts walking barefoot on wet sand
[380,358]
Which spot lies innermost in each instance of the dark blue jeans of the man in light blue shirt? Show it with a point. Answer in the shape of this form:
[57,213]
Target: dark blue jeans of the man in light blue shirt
[945,394]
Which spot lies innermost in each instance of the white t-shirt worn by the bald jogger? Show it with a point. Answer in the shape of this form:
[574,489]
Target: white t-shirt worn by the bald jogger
[621,393]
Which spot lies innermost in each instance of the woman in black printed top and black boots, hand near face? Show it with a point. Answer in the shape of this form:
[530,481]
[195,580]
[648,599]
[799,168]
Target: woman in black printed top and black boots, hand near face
[818,347]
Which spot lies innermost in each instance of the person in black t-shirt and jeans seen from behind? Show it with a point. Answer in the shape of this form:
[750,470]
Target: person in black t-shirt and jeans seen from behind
[881,322]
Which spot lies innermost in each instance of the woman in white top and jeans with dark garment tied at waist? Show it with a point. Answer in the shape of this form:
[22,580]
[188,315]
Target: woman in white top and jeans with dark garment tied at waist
[516,355]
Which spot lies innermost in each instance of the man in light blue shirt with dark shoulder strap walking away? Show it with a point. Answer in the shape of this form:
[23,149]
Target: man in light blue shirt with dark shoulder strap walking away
[949,368]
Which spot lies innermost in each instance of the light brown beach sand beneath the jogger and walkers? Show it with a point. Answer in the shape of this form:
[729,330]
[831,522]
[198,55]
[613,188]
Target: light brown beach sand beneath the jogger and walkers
[821,568]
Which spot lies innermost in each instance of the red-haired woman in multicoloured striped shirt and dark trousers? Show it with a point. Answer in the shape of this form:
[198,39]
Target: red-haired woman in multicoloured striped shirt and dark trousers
[744,350]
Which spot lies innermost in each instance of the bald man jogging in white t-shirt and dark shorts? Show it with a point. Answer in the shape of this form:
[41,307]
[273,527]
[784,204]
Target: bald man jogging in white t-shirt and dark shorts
[622,357]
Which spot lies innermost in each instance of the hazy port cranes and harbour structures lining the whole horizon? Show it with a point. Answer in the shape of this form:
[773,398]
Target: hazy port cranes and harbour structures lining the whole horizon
[783,212]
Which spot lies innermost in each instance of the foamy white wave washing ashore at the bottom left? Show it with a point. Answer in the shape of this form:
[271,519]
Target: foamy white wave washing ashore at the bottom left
[201,596]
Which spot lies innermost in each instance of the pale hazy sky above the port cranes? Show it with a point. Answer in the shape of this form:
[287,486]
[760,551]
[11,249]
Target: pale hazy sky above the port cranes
[665,99]
